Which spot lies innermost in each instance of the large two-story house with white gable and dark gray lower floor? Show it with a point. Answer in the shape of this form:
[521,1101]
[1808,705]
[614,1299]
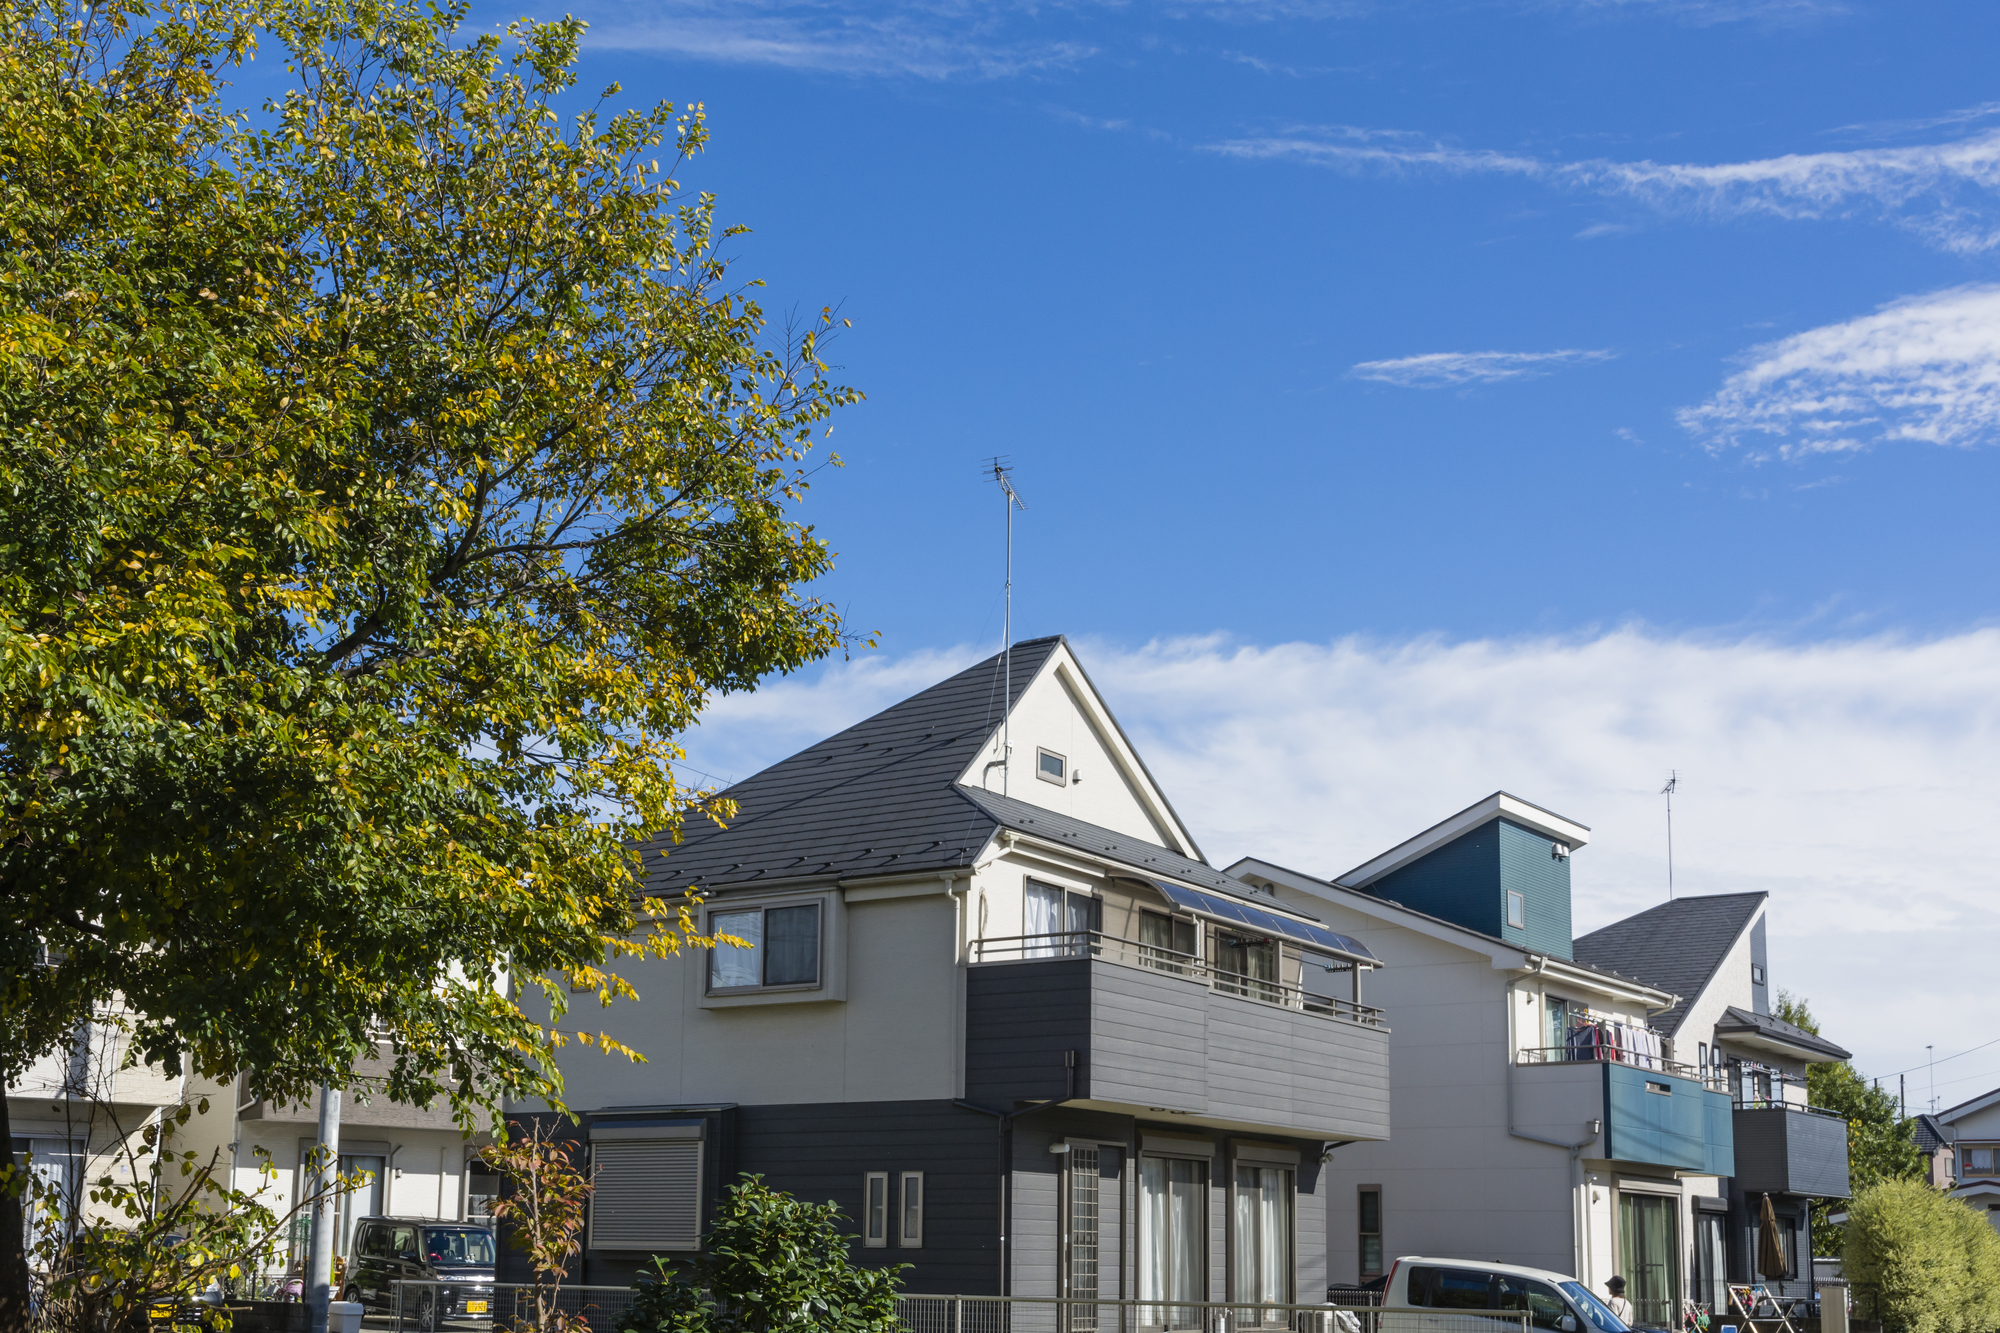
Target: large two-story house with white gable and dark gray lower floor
[995,1006]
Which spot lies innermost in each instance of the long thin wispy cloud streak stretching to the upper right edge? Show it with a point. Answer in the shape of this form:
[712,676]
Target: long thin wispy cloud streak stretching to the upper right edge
[1945,193]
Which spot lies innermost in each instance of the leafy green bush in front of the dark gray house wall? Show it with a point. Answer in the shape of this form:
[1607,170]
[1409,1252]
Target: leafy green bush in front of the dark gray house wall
[773,1266]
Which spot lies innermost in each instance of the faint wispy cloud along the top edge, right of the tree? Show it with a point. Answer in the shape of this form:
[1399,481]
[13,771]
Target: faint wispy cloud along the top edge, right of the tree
[839,41]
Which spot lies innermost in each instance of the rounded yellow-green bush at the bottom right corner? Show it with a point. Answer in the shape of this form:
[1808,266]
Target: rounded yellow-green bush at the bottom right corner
[1923,1262]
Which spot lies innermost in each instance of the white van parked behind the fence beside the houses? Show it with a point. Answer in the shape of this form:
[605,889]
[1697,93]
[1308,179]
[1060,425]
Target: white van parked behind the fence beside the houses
[1473,1296]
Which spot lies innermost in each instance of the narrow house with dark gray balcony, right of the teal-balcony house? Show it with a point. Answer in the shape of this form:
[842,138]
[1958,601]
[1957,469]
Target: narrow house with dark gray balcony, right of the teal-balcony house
[1711,954]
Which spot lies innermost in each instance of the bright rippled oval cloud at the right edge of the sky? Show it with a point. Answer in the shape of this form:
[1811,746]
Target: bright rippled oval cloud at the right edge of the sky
[1921,369]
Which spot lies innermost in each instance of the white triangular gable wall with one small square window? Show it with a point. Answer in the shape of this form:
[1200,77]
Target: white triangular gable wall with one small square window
[1061,712]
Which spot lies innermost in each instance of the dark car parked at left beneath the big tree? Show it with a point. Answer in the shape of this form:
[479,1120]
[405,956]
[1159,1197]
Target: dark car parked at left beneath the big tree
[449,1268]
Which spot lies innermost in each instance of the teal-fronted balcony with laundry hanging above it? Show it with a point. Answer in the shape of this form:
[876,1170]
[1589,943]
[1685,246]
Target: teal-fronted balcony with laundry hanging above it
[1655,1112]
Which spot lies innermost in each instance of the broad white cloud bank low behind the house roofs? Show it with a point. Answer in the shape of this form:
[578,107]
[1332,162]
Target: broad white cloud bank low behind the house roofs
[1853,782]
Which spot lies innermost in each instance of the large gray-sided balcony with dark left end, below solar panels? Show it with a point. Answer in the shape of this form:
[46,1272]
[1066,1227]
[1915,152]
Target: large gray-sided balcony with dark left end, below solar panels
[1149,1032]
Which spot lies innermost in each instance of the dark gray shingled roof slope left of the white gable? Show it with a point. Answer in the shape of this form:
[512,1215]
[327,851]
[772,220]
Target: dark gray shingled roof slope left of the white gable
[875,800]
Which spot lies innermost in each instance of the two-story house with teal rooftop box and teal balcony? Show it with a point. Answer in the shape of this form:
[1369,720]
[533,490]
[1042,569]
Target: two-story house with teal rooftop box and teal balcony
[1537,1114]
